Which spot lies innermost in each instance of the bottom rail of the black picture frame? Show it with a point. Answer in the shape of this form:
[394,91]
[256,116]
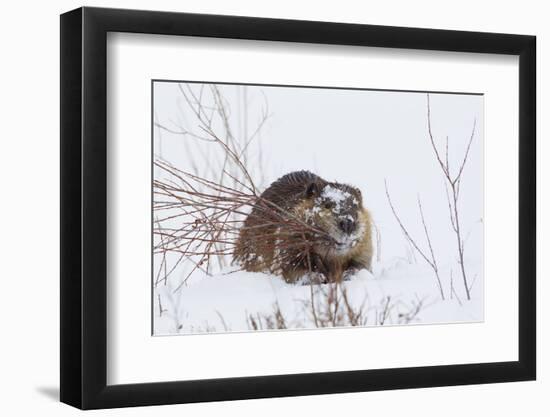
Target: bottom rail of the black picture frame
[177,392]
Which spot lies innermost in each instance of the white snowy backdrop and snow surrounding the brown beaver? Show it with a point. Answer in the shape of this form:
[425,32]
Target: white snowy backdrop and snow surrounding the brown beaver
[360,137]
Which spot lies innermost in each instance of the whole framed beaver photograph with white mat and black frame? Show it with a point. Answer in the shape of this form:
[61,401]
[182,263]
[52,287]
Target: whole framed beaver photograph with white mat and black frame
[257,208]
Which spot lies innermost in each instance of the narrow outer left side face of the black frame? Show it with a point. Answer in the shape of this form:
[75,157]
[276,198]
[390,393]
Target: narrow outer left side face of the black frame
[70,221]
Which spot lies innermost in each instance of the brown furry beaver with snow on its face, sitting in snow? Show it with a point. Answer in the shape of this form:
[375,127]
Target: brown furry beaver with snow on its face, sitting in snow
[304,226]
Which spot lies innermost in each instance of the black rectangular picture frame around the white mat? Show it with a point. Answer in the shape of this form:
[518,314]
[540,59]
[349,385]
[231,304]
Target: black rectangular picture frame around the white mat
[84,207]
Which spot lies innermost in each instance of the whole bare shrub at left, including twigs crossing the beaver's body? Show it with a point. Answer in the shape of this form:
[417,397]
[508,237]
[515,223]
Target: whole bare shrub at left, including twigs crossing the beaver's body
[199,215]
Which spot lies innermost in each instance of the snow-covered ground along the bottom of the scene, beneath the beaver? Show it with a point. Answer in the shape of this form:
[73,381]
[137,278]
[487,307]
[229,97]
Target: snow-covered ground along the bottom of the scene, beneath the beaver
[399,293]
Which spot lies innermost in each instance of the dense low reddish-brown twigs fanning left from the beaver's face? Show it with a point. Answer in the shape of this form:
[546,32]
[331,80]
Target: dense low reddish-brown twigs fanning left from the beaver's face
[210,220]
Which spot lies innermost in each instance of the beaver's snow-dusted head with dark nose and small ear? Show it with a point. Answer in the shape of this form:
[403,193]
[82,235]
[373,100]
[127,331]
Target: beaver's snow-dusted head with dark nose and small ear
[337,210]
